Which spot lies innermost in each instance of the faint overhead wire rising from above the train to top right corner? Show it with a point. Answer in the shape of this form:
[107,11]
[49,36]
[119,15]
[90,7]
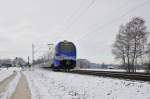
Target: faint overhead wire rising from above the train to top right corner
[116,19]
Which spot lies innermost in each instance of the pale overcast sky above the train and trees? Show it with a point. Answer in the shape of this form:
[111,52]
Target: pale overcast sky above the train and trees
[91,24]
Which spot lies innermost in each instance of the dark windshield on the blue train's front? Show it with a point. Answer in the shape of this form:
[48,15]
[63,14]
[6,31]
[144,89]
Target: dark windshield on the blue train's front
[67,47]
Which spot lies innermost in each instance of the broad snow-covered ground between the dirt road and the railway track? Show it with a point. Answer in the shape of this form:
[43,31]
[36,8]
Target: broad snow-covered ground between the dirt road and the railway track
[57,85]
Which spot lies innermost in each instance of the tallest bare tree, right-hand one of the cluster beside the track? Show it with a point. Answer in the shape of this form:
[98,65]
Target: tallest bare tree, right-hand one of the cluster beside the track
[136,30]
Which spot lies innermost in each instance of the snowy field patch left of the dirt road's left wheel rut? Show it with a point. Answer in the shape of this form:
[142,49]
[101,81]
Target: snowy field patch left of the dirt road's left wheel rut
[4,72]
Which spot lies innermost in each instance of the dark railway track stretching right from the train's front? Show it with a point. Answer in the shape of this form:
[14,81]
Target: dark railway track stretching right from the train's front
[113,74]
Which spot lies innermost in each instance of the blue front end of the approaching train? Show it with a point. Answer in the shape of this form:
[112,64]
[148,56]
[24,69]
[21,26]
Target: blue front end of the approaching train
[64,56]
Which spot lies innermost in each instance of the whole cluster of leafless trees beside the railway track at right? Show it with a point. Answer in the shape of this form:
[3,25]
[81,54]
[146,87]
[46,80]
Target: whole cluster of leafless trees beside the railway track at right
[131,46]
